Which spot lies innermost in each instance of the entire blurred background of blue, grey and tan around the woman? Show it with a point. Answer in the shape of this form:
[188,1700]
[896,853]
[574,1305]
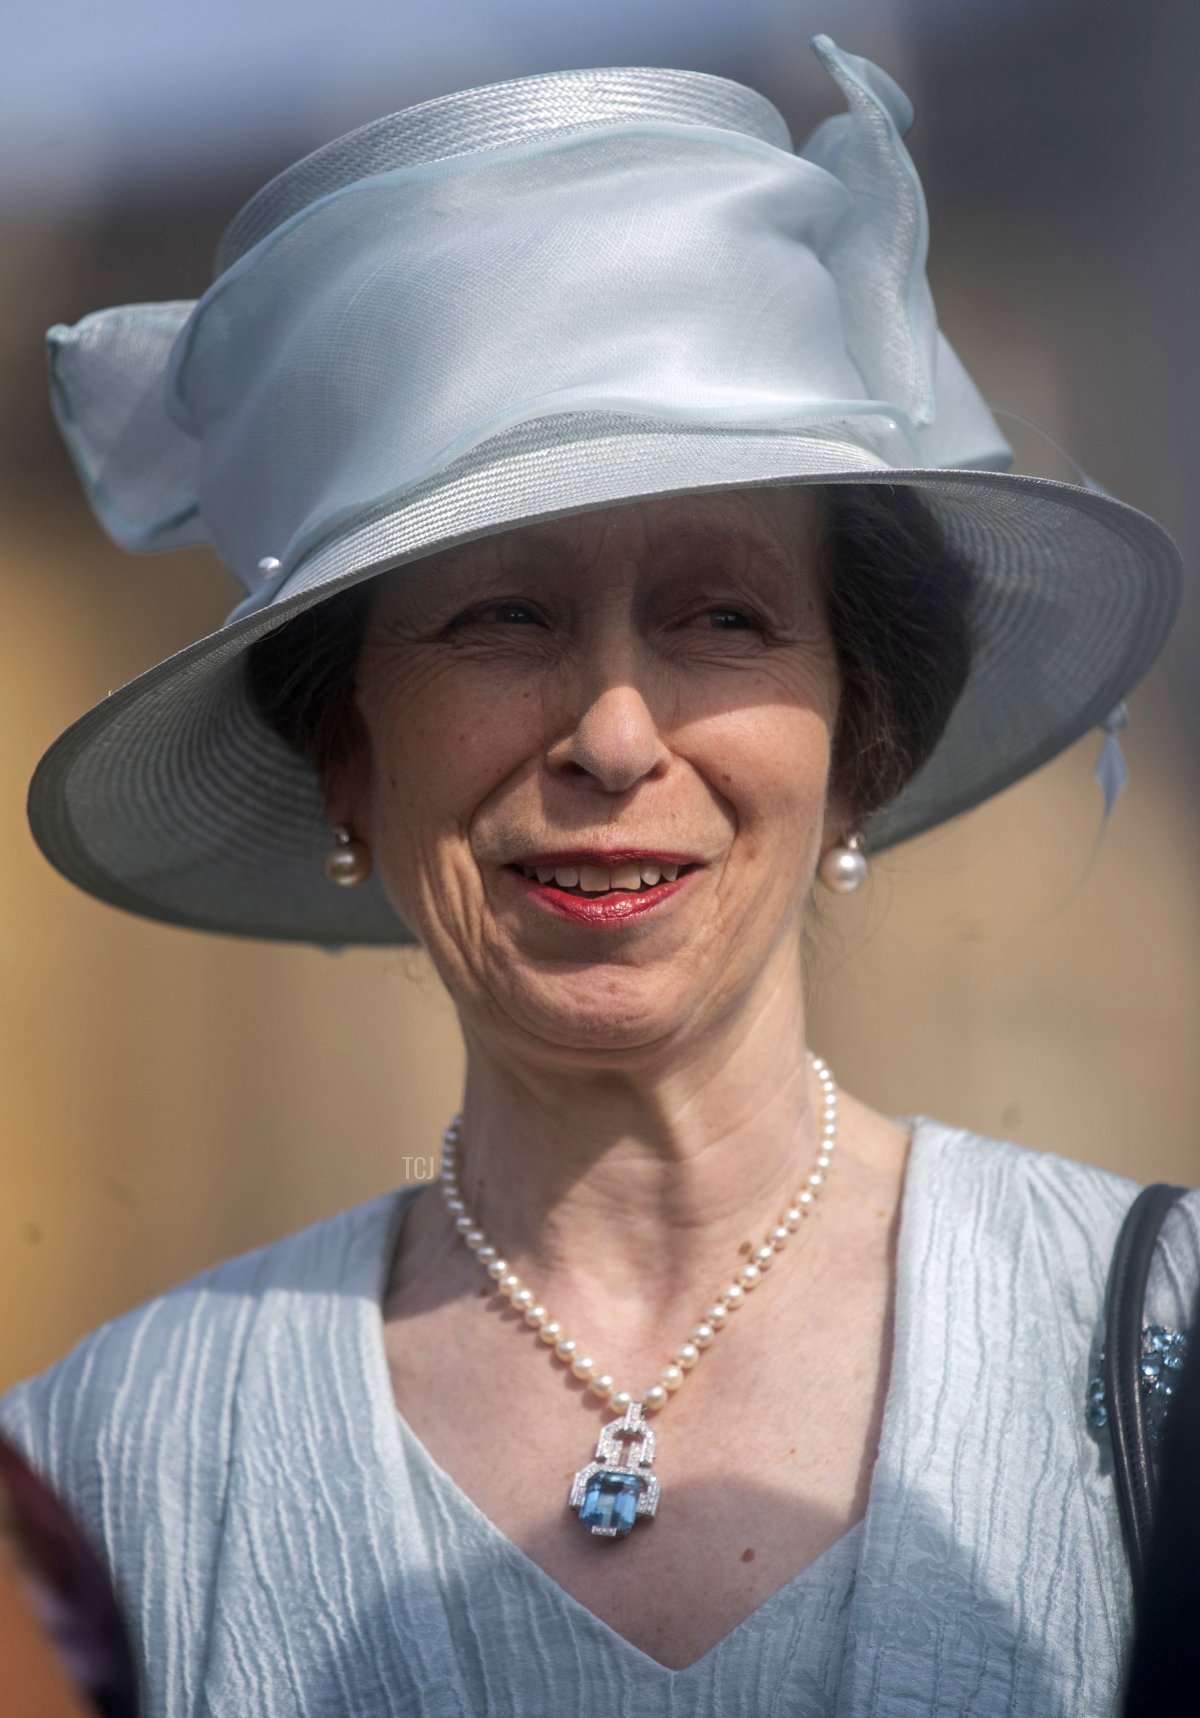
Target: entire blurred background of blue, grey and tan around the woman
[171,1099]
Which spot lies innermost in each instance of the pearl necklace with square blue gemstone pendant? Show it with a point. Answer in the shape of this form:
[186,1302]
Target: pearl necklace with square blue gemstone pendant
[618,1485]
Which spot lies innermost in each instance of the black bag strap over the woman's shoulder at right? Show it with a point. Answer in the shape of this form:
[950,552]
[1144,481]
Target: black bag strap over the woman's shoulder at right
[1125,1301]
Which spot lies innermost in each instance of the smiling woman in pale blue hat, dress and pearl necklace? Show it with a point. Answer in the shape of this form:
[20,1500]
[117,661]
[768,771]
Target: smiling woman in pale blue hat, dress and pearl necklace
[625,549]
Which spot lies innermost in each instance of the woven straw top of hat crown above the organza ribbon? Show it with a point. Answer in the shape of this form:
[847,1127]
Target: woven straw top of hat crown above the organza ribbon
[496,118]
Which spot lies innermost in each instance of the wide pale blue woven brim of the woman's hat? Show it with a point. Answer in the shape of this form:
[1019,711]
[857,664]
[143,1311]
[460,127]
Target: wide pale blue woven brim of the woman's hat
[176,801]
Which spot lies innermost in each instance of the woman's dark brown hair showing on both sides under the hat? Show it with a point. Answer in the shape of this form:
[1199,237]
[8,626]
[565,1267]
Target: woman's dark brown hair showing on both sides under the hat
[900,607]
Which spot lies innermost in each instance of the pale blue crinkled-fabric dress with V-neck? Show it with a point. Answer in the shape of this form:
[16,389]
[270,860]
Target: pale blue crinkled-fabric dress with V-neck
[286,1547]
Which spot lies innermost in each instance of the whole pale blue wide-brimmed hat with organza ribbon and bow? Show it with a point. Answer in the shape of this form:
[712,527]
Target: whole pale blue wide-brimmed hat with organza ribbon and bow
[518,303]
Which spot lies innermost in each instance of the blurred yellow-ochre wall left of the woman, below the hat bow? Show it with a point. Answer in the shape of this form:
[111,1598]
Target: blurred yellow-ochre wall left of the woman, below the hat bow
[168,1099]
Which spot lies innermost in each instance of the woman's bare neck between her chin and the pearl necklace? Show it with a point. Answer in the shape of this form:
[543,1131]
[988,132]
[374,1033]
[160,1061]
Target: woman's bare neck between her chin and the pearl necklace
[644,1191]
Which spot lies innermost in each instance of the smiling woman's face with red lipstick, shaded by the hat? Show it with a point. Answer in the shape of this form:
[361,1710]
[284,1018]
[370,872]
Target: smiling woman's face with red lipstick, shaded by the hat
[594,764]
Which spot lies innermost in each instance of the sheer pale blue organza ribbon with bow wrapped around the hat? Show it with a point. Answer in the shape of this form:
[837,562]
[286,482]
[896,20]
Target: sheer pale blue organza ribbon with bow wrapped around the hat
[670,269]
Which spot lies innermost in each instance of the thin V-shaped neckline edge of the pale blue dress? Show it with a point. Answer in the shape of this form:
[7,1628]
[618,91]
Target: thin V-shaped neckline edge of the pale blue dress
[410,1447]
